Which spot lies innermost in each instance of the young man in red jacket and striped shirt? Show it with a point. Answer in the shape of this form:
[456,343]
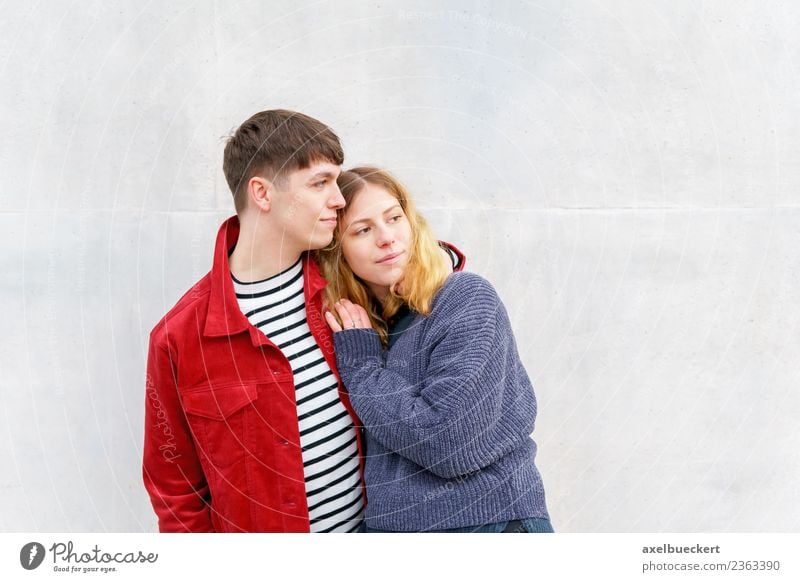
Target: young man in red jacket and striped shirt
[247,427]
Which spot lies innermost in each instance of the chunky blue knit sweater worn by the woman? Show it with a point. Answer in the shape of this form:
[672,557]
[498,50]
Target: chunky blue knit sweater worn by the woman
[448,413]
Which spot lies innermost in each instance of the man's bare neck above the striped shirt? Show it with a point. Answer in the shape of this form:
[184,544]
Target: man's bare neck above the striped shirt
[257,256]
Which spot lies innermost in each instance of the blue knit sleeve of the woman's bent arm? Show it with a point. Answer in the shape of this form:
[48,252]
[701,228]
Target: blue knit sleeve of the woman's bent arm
[474,403]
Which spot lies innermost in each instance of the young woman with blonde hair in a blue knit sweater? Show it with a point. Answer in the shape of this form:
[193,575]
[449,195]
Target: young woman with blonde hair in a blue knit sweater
[432,369]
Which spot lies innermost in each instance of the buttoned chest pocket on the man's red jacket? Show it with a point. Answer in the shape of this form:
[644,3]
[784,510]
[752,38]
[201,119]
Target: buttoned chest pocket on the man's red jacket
[218,418]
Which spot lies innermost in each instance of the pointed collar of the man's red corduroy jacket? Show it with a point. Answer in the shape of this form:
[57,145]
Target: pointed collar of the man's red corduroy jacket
[224,317]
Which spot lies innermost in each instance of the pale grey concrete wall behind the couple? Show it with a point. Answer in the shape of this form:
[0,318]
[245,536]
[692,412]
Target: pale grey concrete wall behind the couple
[625,172]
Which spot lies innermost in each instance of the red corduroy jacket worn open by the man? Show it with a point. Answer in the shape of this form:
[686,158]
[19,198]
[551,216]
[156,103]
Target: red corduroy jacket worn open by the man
[222,444]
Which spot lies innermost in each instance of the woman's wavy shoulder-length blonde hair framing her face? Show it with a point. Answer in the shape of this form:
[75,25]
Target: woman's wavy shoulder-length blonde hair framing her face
[425,271]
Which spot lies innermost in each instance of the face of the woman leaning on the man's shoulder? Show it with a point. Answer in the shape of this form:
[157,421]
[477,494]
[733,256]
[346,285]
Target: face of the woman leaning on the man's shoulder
[376,238]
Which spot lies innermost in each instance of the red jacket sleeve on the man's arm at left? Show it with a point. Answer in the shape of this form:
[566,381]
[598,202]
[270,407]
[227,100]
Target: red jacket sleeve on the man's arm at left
[172,473]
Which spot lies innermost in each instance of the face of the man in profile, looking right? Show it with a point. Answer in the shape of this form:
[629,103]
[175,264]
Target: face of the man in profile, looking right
[305,204]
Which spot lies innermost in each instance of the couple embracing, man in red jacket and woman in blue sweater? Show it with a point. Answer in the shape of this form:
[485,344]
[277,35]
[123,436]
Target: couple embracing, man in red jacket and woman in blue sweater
[330,304]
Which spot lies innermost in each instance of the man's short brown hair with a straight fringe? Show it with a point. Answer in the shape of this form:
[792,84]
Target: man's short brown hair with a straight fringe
[273,144]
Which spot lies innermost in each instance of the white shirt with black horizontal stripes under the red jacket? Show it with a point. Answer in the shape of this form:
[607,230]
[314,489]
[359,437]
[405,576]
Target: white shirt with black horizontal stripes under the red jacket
[277,307]
